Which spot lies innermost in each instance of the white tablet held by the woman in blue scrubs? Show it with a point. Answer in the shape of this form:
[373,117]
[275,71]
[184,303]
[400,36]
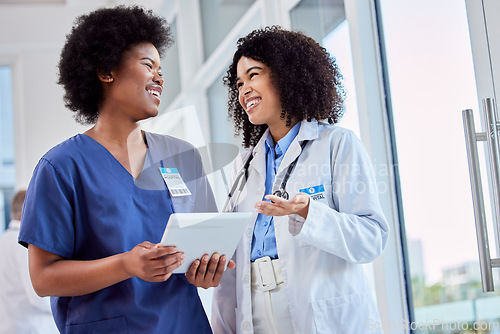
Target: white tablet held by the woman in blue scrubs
[197,234]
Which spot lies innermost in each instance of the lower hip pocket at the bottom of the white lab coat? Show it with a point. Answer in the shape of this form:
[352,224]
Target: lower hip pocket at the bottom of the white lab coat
[351,314]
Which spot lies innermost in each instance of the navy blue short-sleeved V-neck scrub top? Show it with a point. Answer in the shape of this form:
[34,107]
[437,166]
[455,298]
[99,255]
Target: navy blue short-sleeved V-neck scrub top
[83,204]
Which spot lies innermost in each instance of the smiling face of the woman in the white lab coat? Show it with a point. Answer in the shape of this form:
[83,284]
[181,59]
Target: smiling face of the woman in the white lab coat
[257,94]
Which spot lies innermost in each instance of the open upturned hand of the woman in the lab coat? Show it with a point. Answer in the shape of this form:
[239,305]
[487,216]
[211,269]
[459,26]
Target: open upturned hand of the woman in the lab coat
[278,206]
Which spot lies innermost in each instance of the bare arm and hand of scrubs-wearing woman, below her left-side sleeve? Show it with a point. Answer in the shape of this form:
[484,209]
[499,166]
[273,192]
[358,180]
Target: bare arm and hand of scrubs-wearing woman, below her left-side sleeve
[54,275]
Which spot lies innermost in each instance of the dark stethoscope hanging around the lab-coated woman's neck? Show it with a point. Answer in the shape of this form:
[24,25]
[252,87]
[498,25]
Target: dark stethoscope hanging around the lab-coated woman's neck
[242,177]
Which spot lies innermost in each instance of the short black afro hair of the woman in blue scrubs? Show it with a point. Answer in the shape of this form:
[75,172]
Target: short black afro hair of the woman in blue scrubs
[97,42]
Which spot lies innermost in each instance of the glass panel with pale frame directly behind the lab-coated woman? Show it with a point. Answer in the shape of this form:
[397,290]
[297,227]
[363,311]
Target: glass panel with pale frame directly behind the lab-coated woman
[347,29]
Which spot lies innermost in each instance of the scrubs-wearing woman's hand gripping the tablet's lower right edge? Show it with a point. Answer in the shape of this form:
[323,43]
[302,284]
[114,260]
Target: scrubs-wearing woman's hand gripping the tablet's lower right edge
[207,272]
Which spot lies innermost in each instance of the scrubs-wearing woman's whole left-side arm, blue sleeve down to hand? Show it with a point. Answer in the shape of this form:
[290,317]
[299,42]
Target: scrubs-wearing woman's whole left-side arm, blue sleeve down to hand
[49,228]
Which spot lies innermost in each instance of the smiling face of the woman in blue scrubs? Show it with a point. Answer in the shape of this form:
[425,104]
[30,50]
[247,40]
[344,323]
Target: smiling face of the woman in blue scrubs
[136,84]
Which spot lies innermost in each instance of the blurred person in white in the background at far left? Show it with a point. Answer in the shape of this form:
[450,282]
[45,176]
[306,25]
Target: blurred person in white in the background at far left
[22,311]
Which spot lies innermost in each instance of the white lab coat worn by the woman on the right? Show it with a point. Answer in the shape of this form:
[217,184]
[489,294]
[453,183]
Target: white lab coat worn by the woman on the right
[320,258]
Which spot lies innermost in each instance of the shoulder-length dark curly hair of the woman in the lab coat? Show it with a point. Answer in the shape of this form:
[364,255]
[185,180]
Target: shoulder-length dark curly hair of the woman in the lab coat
[306,76]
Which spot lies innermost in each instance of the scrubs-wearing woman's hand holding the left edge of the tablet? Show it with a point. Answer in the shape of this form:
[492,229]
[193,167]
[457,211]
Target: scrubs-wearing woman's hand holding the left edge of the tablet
[152,262]
